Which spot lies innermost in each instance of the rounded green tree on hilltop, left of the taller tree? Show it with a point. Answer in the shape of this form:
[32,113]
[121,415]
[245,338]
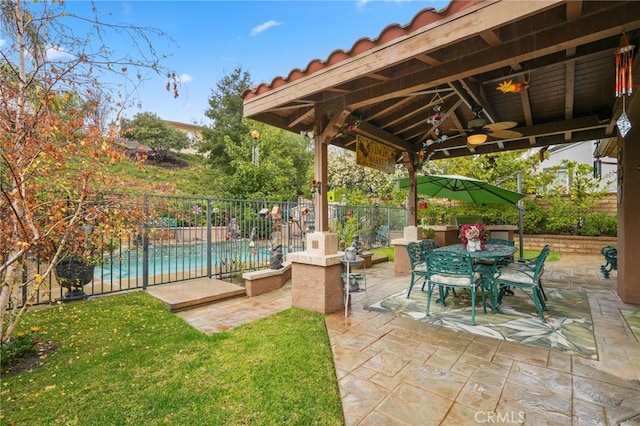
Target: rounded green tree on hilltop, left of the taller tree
[149,129]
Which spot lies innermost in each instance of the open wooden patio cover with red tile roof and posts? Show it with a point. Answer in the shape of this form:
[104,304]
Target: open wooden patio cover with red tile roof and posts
[513,74]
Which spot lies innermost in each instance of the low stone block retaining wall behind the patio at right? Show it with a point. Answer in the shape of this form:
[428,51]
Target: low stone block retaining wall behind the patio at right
[567,244]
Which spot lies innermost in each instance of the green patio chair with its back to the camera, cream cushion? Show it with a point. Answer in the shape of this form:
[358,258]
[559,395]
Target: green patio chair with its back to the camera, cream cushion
[453,270]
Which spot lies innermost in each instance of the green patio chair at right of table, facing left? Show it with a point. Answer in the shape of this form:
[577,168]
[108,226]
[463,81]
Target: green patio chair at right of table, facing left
[526,277]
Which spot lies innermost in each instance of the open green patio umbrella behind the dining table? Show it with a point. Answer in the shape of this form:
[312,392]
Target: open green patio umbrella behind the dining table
[463,188]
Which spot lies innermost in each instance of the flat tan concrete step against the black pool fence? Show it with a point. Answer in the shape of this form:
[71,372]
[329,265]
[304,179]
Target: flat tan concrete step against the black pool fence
[191,293]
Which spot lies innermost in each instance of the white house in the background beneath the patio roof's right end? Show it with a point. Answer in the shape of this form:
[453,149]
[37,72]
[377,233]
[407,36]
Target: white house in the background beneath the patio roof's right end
[583,153]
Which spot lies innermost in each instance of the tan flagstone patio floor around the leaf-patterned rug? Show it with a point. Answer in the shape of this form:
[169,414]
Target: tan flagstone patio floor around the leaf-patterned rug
[398,371]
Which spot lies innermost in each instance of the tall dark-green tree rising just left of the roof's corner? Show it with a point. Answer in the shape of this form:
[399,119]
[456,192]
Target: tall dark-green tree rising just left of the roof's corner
[227,125]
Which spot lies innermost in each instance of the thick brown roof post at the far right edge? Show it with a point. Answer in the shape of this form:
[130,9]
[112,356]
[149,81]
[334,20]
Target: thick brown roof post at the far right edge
[629,209]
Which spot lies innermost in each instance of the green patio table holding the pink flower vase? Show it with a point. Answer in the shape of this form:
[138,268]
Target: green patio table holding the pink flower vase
[493,252]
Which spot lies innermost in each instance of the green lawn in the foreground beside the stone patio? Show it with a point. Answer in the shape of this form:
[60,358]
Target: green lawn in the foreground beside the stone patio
[126,359]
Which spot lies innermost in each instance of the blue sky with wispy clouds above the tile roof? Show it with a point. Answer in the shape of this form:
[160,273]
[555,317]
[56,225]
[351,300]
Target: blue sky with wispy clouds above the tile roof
[206,40]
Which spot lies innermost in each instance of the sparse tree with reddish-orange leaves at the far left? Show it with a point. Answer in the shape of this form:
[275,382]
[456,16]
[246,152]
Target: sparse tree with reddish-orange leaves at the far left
[53,152]
